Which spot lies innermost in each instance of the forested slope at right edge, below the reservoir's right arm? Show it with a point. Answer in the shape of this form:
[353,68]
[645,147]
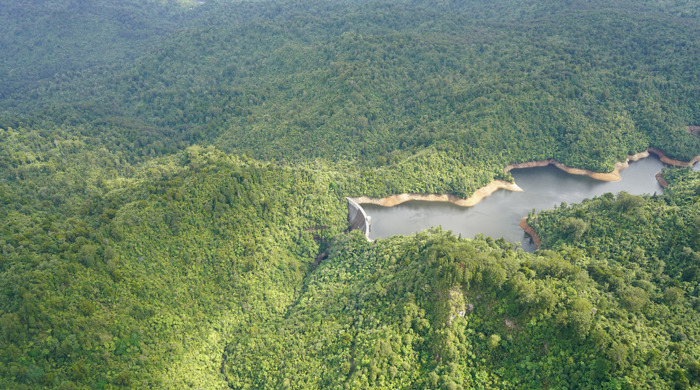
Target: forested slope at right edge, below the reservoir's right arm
[644,253]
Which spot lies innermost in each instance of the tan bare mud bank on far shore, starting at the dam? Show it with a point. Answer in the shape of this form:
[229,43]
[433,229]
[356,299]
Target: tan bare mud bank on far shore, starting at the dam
[476,197]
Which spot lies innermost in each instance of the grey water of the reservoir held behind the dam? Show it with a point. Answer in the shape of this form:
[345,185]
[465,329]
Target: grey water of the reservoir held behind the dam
[498,215]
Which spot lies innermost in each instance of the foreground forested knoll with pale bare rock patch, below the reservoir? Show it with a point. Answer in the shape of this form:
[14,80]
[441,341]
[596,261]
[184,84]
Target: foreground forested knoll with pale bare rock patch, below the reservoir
[431,311]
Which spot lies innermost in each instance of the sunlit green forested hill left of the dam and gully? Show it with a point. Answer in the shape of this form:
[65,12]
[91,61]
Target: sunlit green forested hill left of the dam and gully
[137,281]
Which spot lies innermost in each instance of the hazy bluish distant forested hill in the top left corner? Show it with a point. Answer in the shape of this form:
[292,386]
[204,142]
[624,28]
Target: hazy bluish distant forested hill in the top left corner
[41,39]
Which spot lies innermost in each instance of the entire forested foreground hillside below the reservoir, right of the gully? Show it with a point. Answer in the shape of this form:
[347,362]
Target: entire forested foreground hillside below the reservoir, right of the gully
[614,304]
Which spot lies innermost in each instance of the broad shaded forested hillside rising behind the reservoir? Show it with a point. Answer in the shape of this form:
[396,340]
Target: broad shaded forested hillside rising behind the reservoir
[380,82]
